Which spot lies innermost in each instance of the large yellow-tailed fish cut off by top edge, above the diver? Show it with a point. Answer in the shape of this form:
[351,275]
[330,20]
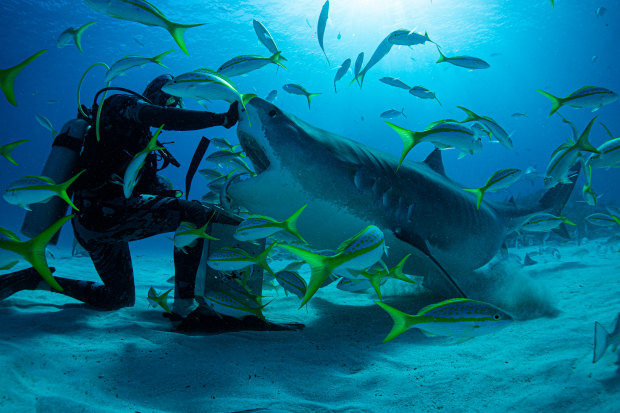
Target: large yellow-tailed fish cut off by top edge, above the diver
[142,11]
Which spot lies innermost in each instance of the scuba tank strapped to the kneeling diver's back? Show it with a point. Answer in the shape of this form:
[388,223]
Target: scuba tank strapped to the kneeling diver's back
[62,164]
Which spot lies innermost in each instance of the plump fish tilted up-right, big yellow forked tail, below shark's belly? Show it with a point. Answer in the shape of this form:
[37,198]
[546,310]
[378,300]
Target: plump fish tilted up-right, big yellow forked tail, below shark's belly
[357,253]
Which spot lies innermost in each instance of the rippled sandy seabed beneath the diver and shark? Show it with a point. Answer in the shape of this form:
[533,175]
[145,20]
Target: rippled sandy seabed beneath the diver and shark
[59,356]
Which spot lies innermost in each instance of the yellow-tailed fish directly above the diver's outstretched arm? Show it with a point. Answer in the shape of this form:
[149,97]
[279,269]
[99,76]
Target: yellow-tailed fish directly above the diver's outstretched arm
[206,84]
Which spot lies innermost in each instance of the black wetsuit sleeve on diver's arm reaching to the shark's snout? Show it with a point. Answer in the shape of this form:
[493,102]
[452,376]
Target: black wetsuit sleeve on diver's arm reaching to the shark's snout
[176,119]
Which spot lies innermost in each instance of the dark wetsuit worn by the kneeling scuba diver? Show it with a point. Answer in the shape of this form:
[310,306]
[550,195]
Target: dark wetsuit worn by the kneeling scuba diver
[107,221]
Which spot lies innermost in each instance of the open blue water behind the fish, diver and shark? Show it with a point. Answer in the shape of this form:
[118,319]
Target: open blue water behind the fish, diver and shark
[529,45]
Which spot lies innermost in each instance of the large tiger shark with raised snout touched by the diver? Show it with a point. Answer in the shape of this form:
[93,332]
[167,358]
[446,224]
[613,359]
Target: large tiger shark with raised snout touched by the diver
[348,186]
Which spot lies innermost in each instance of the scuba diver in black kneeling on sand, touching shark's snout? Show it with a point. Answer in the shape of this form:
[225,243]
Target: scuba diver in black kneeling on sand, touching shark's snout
[107,221]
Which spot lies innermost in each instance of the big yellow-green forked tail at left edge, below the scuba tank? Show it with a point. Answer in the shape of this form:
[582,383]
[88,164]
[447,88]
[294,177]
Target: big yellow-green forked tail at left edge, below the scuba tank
[33,250]
